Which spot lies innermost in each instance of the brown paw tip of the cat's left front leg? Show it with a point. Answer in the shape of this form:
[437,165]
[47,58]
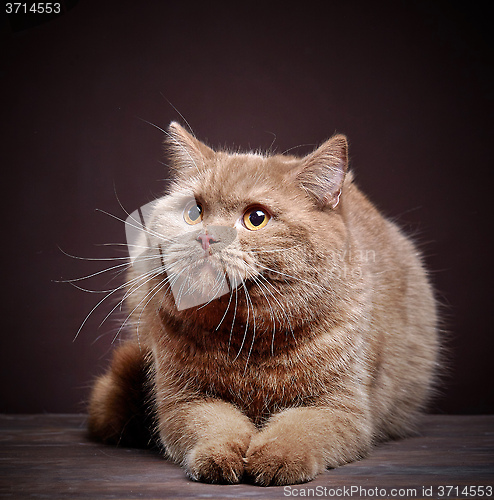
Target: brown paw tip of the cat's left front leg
[217,461]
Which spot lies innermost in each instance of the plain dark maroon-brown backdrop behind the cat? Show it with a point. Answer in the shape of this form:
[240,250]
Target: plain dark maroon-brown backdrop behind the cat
[410,83]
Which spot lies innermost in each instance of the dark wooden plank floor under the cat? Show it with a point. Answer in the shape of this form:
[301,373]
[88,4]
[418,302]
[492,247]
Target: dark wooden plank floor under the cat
[48,456]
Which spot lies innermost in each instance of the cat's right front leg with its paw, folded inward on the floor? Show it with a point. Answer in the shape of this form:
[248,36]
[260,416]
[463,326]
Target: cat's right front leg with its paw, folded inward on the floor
[299,443]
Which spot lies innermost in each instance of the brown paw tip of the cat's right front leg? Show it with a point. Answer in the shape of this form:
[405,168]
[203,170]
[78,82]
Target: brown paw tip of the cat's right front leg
[281,459]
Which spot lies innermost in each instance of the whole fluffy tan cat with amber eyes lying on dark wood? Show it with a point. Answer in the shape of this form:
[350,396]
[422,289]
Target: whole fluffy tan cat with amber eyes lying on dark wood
[280,325]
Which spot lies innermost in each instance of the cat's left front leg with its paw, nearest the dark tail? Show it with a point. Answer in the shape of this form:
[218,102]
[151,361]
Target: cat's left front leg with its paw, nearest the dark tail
[208,437]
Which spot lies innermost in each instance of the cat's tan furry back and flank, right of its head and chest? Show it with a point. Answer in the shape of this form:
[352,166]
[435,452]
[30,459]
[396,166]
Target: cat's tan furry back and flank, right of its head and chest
[402,332]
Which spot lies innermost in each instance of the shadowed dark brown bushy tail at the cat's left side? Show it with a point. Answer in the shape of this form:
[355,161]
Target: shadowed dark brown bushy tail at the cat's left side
[120,406]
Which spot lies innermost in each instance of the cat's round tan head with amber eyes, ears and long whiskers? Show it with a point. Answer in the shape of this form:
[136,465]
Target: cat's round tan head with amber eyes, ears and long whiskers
[241,240]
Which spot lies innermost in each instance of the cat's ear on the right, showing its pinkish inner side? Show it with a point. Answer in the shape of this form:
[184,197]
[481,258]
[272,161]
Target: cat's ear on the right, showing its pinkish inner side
[323,171]
